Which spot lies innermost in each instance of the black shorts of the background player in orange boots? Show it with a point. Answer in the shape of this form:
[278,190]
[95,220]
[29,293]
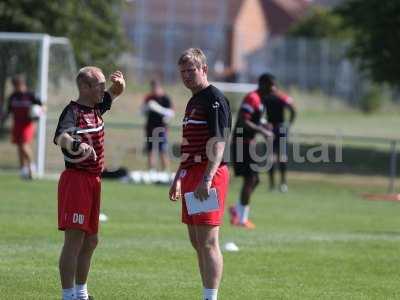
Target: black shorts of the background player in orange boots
[243,163]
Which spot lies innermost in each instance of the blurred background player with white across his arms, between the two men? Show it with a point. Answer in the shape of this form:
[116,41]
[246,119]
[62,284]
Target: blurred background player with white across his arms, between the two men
[157,107]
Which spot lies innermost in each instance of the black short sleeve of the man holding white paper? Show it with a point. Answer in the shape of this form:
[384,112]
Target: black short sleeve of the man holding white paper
[219,117]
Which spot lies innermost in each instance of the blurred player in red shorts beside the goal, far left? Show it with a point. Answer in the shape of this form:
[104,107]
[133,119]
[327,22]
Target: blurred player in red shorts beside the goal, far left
[21,104]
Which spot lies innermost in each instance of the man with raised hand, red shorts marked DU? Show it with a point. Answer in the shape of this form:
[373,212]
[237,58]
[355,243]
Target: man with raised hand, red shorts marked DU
[80,134]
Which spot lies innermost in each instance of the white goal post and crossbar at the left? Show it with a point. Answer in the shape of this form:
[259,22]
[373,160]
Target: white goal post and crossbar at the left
[44,42]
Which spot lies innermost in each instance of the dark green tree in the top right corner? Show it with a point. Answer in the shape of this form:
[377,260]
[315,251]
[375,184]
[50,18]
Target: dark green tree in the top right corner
[376,34]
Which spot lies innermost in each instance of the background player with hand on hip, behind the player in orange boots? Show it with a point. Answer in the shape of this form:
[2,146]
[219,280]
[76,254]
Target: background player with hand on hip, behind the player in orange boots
[277,103]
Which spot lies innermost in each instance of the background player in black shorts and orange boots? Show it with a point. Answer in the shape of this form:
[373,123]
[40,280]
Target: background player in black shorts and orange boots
[248,125]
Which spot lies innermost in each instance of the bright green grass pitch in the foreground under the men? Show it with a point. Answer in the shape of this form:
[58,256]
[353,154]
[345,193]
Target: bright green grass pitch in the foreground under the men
[319,241]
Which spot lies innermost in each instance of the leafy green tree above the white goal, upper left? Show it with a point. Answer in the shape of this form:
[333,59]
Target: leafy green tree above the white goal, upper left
[93,26]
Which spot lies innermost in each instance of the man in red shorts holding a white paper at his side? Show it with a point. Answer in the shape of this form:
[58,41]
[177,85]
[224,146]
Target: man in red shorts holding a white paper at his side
[206,127]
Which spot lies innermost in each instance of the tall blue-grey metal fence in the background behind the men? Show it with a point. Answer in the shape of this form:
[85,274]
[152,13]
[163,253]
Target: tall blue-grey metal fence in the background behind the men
[308,64]
